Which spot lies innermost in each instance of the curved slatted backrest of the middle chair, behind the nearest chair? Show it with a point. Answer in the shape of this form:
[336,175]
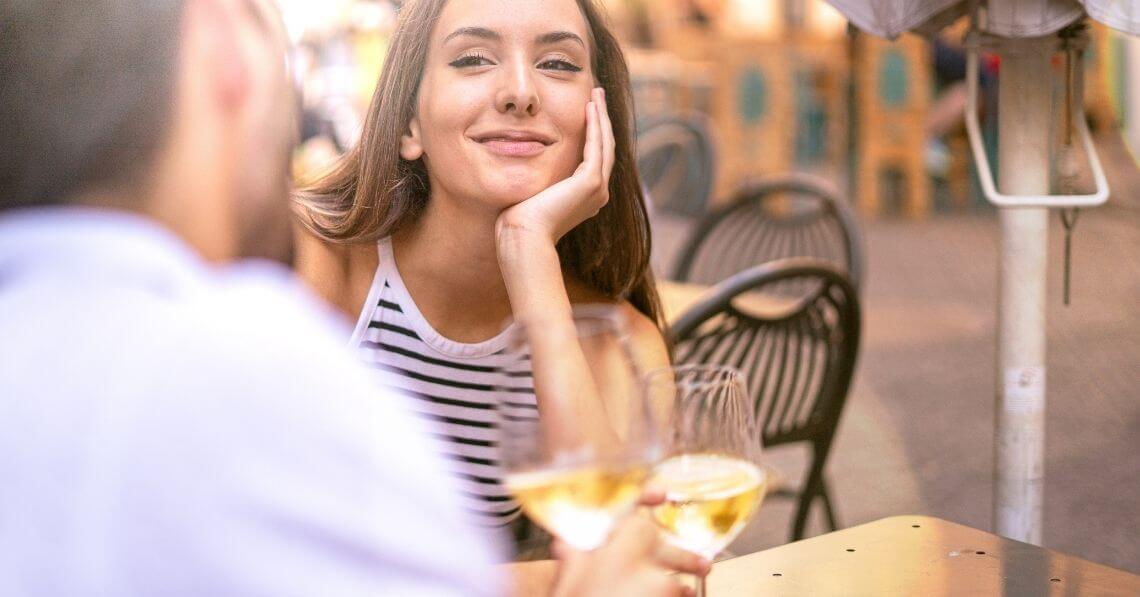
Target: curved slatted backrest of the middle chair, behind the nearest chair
[795,216]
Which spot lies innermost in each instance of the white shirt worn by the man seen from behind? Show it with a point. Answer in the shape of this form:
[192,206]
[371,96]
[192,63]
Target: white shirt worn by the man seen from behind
[169,429]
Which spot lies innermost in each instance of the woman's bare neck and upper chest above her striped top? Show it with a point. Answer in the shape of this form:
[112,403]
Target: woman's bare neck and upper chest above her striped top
[450,264]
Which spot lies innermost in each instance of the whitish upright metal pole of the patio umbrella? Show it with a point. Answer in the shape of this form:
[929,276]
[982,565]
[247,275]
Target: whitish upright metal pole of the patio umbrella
[1020,432]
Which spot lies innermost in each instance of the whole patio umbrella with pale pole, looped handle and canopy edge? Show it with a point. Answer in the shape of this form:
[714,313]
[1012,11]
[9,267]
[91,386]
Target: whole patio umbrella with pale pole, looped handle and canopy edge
[1027,35]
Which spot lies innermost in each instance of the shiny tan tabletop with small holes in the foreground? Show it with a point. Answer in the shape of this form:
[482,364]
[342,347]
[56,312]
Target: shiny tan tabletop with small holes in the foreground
[915,555]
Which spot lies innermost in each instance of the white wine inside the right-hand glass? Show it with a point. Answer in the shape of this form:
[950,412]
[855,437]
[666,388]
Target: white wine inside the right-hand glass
[709,500]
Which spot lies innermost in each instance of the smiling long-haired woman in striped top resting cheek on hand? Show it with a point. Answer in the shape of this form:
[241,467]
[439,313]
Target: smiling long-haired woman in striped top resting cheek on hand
[494,179]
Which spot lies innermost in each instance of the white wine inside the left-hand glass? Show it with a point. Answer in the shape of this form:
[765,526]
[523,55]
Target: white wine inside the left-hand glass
[580,505]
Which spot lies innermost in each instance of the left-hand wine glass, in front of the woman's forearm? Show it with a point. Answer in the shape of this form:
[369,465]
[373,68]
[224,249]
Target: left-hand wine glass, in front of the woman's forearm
[577,436]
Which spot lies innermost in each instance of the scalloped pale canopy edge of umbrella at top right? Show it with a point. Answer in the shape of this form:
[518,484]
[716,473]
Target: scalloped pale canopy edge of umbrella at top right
[1009,19]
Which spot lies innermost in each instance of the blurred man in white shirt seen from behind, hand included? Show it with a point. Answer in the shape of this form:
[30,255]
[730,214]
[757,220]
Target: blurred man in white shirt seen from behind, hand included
[169,424]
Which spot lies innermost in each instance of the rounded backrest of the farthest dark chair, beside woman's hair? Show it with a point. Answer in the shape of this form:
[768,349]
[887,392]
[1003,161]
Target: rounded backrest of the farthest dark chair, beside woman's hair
[677,162]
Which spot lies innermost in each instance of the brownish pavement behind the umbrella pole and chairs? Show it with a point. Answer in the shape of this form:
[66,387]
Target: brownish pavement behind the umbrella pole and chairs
[917,437]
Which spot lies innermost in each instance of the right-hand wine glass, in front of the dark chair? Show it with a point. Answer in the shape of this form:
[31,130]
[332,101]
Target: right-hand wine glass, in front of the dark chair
[711,475]
